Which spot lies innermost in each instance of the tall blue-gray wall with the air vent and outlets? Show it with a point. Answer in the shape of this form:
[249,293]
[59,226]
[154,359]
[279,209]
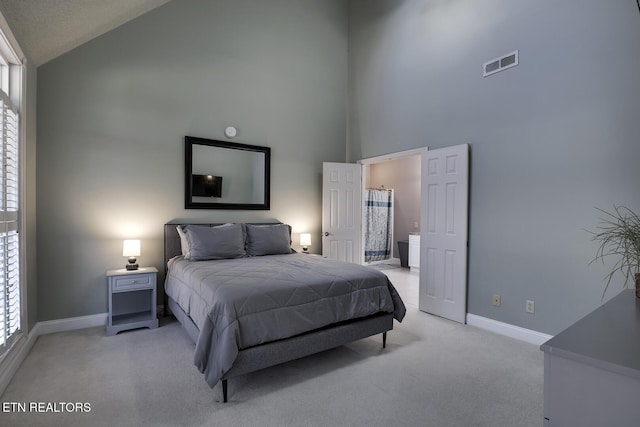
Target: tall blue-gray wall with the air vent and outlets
[550,139]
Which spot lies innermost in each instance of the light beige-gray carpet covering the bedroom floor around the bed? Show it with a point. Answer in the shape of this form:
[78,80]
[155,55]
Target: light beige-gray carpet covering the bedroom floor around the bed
[433,373]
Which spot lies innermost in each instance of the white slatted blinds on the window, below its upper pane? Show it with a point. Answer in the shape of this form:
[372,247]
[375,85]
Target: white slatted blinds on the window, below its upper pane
[10,306]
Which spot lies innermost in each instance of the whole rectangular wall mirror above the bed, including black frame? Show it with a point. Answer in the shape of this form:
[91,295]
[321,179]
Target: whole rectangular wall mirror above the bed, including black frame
[225,175]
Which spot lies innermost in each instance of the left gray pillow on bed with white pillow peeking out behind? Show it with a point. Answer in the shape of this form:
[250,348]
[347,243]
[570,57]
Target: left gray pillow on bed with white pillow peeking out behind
[220,242]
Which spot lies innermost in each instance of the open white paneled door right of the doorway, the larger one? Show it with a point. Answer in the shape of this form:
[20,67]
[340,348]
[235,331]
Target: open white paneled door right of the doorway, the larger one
[443,235]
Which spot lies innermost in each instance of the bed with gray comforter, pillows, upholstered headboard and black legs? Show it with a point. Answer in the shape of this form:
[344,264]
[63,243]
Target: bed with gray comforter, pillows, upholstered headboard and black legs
[249,302]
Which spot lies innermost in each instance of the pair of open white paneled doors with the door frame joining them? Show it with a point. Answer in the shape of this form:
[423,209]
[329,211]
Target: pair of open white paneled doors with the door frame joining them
[443,223]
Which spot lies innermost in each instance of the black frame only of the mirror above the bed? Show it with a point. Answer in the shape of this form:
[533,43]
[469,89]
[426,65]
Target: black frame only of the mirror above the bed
[189,141]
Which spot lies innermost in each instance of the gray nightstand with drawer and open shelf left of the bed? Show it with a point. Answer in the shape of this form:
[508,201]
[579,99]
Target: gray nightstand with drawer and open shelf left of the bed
[132,299]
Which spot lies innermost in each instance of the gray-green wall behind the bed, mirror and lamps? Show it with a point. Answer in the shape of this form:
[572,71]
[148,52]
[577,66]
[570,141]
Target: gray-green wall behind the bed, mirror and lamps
[113,113]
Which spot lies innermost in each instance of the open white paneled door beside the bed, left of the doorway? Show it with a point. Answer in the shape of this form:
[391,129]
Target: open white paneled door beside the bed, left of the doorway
[342,211]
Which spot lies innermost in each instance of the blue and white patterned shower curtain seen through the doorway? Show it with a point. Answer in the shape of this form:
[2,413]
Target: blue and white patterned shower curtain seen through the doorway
[378,224]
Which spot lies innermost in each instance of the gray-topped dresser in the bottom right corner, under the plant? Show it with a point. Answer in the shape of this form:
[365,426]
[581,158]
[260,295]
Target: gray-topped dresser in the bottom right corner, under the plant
[592,369]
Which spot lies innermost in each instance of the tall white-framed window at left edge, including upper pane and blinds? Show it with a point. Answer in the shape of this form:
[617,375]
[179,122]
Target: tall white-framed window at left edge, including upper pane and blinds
[11,72]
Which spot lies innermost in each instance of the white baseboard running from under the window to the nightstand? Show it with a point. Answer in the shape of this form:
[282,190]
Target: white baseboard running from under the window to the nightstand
[16,356]
